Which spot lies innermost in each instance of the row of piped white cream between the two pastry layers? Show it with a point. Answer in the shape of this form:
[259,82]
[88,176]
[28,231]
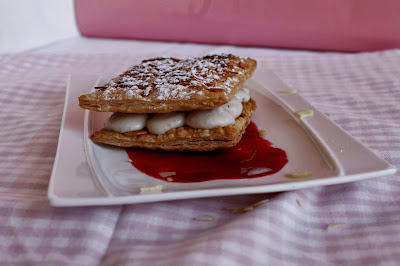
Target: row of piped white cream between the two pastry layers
[159,124]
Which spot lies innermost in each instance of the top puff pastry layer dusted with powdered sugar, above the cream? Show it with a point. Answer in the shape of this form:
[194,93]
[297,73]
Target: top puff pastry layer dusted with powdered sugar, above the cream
[163,85]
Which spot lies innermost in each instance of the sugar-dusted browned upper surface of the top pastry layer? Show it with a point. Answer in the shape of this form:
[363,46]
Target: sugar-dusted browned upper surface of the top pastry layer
[170,78]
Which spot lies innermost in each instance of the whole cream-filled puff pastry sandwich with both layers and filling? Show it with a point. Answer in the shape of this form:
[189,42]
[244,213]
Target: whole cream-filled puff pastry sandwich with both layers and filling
[196,104]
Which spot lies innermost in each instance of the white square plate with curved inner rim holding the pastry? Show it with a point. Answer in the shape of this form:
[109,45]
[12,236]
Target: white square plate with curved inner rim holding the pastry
[86,173]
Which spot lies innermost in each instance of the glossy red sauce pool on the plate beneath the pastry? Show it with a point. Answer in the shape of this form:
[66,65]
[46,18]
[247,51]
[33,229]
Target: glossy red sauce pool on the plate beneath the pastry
[252,157]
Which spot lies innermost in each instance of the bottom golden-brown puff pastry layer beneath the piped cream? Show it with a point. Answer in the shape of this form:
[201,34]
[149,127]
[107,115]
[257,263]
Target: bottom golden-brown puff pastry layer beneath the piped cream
[183,138]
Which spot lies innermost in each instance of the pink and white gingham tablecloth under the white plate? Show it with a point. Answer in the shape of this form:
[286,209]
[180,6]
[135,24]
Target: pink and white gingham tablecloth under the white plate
[351,224]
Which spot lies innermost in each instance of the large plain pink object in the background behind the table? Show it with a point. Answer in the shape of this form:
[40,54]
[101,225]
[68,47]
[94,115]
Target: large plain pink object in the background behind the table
[348,25]
